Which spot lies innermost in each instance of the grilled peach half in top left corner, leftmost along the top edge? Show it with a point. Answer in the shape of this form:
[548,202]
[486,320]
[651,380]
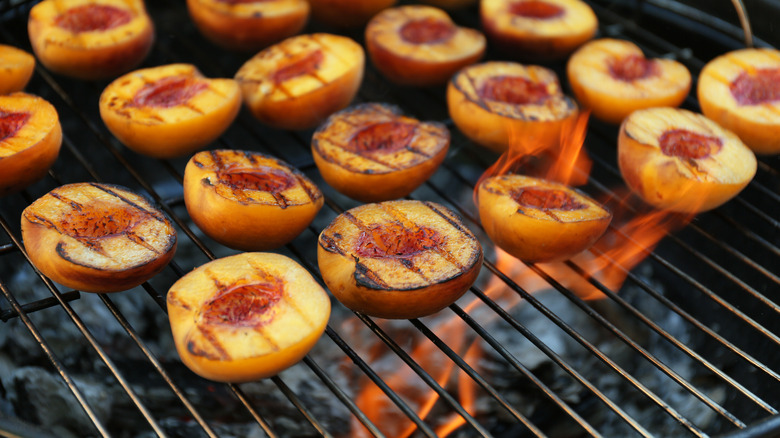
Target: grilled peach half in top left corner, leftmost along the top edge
[90,39]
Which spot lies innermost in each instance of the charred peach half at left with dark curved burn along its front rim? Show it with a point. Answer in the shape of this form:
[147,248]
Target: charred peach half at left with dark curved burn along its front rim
[97,237]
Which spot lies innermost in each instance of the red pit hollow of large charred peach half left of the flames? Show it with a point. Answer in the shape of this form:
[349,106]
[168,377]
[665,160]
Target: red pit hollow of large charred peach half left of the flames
[394,240]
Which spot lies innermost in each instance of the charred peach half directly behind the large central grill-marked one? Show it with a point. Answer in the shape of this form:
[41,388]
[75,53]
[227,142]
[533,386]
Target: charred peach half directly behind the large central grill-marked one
[372,152]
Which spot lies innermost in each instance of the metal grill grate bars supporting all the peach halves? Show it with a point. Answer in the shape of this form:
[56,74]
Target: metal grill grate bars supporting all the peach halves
[718,277]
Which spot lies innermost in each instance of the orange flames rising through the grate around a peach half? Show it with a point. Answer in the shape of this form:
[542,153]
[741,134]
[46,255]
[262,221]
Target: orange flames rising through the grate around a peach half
[633,234]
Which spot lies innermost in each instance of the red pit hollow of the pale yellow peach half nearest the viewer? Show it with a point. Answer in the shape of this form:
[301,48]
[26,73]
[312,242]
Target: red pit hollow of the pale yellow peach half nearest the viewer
[243,305]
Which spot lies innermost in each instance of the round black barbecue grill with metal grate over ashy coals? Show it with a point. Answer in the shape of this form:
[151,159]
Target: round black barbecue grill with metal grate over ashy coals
[689,345]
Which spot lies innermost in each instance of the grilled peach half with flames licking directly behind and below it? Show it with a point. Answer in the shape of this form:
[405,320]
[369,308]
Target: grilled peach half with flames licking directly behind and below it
[537,220]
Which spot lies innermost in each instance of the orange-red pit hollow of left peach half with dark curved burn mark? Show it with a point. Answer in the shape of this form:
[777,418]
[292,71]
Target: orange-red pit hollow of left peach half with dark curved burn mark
[99,221]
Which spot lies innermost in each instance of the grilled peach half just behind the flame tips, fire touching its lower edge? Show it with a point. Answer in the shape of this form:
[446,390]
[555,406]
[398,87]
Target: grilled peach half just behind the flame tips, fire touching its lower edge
[496,104]
